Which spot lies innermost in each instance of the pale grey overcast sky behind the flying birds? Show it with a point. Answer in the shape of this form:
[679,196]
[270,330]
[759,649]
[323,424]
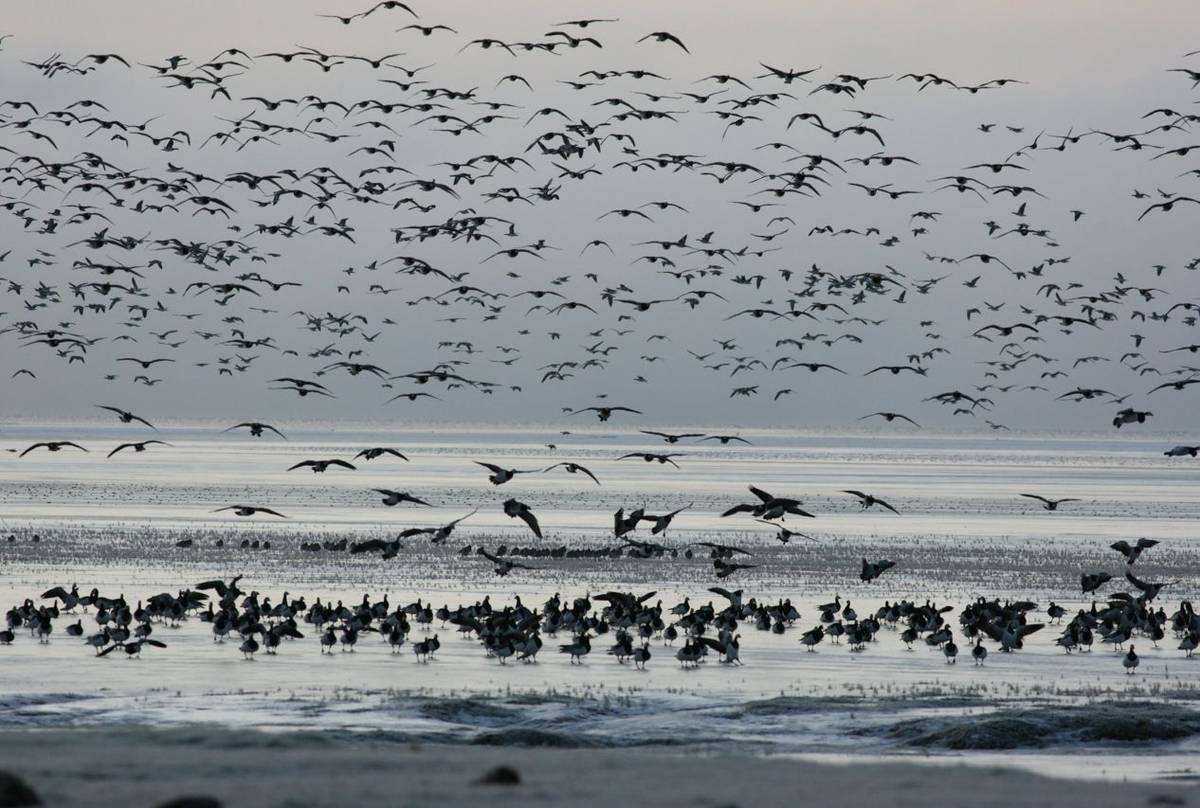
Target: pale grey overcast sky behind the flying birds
[1087,67]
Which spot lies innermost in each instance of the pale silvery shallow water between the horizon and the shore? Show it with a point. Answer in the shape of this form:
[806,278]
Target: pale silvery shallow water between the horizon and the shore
[963,532]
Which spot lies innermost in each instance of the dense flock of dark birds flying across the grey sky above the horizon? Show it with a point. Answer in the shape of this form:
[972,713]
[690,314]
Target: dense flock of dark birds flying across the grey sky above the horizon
[136,261]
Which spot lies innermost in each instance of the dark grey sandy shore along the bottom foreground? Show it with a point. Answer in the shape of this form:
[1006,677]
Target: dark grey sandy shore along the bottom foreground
[134,767]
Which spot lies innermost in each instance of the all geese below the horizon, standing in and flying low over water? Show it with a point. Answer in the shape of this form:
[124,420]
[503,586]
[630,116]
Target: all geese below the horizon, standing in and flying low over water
[634,621]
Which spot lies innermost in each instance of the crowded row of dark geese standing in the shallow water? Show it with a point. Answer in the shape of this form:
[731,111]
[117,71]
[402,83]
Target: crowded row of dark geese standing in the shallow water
[631,623]
